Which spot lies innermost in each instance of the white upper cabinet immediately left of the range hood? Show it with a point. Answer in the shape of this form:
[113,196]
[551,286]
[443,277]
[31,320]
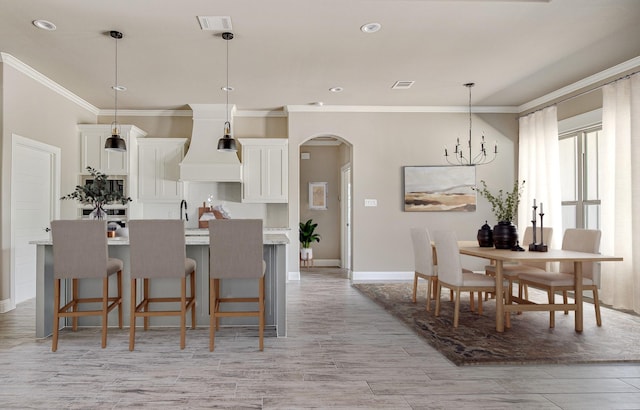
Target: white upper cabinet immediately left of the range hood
[159,170]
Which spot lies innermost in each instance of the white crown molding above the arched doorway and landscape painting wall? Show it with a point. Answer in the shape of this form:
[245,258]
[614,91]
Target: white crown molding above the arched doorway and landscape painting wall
[402,109]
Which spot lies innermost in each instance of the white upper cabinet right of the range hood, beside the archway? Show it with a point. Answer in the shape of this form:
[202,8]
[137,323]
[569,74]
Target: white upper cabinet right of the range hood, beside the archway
[265,170]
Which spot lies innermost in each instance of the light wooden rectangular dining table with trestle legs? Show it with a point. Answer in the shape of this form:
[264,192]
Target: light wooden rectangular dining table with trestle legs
[504,306]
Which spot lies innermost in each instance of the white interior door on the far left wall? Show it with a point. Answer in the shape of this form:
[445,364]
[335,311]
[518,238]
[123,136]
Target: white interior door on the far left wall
[33,189]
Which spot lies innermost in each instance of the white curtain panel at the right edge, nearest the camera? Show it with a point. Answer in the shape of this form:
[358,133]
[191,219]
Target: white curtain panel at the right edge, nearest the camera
[619,168]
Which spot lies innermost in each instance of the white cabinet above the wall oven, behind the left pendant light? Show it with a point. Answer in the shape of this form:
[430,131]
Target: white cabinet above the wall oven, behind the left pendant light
[93,137]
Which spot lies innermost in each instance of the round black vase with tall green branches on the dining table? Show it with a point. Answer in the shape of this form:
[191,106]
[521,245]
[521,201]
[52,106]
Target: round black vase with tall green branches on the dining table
[505,207]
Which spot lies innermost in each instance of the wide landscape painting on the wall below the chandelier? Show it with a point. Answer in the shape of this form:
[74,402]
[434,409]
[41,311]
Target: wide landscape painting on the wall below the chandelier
[439,188]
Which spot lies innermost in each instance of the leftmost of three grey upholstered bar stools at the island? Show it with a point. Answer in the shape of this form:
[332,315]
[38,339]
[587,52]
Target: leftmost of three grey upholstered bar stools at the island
[80,252]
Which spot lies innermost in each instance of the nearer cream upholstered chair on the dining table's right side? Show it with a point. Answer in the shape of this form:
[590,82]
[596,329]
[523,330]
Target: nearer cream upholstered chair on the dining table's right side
[580,240]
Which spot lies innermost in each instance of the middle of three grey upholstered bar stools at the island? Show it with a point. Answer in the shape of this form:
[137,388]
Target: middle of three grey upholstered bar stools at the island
[157,250]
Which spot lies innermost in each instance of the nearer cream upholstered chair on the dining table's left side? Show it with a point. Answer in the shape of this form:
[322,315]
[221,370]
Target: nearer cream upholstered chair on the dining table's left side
[452,276]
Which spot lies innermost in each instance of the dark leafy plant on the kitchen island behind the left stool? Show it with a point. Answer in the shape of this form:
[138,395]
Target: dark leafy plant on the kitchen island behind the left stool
[97,194]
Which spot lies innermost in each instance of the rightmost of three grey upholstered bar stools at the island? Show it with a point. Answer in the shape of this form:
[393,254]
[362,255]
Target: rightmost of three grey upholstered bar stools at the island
[235,252]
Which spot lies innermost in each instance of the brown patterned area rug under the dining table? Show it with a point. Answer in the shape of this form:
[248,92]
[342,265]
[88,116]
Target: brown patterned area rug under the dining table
[528,341]
